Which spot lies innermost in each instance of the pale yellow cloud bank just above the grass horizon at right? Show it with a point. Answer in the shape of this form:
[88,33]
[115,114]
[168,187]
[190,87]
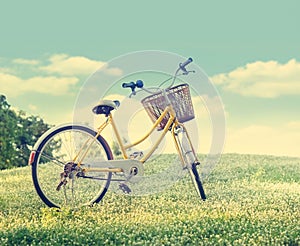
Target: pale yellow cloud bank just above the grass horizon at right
[265,139]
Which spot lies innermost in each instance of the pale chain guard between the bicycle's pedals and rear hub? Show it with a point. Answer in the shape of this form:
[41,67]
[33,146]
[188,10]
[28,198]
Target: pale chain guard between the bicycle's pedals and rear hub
[131,169]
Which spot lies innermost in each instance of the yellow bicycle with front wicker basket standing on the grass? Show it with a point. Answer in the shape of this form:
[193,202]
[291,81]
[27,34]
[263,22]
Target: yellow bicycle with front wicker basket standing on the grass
[74,165]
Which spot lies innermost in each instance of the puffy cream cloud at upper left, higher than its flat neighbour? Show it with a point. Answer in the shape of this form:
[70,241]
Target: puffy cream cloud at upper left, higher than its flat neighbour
[76,65]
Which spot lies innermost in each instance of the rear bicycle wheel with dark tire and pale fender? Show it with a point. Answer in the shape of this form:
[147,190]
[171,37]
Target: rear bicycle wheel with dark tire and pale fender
[45,162]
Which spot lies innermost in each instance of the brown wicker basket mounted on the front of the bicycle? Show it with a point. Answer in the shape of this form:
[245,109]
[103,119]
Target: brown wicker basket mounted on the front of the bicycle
[180,99]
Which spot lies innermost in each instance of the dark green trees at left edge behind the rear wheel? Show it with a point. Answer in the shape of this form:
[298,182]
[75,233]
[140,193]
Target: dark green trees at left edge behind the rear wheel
[18,133]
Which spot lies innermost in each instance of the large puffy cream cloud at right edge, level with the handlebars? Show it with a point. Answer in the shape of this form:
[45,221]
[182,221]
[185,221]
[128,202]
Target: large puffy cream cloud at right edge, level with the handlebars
[262,79]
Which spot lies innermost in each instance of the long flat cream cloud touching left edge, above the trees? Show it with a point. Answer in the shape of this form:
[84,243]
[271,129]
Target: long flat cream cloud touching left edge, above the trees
[13,86]
